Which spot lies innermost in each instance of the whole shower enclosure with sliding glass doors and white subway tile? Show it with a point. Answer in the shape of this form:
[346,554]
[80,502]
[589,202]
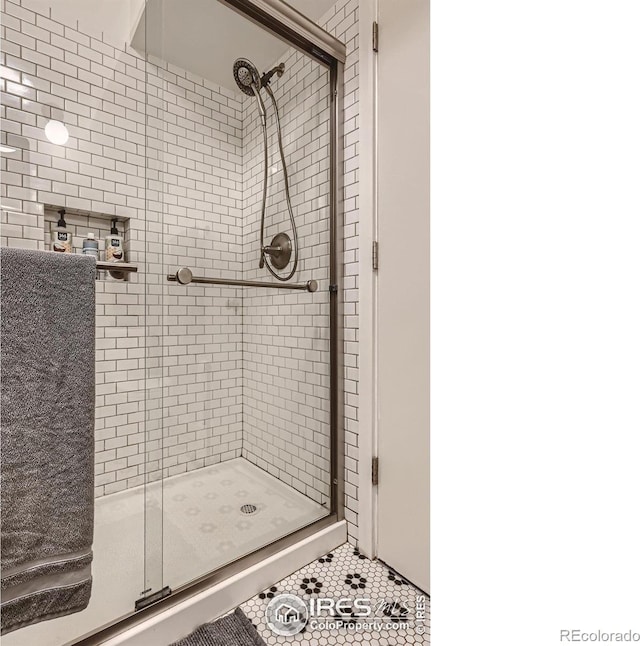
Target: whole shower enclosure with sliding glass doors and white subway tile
[211,131]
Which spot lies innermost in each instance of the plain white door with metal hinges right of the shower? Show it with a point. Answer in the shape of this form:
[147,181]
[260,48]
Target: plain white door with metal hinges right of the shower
[403,288]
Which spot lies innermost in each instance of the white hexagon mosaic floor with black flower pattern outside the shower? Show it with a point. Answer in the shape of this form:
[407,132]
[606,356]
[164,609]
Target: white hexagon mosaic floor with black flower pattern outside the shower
[400,613]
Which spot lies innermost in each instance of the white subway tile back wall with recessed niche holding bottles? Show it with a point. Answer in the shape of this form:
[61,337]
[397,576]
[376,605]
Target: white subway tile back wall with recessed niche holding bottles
[162,149]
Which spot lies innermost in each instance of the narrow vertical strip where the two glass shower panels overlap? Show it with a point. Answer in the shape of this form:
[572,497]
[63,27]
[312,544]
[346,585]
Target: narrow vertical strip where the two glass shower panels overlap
[148,38]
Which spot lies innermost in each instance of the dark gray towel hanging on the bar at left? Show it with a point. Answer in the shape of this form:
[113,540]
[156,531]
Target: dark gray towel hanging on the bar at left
[47,418]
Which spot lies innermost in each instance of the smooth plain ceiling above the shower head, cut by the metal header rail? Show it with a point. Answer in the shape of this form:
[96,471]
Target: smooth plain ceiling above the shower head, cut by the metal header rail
[206,37]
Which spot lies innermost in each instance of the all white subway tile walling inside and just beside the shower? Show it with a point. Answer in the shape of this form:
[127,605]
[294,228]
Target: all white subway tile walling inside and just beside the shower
[202,374]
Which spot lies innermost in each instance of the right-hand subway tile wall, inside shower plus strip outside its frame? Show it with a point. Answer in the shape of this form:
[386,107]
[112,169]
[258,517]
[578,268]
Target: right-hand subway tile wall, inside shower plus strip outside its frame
[286,341]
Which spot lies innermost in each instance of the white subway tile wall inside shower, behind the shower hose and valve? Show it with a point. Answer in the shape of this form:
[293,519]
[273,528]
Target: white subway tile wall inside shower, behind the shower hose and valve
[286,340]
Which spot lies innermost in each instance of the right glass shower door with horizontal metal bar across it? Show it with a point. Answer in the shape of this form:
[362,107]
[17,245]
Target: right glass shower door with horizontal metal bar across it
[238,404]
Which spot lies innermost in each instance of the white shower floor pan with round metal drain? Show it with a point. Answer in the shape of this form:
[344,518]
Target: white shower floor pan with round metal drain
[194,524]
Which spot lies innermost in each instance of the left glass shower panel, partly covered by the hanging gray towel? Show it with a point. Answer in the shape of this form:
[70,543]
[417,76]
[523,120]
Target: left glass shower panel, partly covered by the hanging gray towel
[76,119]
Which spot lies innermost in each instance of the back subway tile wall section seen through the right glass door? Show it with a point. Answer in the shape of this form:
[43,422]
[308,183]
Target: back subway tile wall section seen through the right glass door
[194,219]
